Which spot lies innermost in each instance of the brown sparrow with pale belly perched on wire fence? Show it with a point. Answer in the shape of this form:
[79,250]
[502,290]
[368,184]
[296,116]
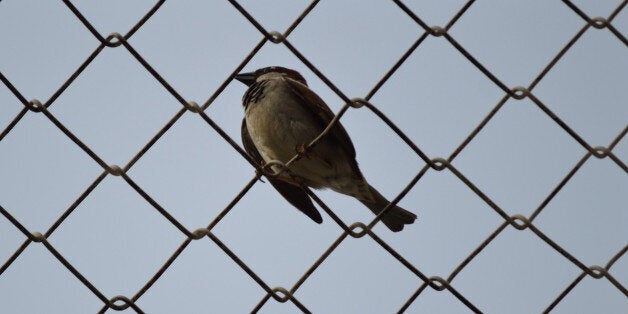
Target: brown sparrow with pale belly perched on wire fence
[282,116]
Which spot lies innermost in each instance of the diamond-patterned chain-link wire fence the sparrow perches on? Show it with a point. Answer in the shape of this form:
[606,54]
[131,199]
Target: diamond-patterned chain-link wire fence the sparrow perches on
[356,230]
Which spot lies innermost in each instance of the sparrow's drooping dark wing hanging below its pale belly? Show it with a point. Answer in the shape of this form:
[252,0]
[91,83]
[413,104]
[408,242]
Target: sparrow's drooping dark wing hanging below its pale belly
[294,194]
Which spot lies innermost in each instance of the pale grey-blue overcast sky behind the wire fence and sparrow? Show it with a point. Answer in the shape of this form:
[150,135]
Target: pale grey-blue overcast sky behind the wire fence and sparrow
[117,240]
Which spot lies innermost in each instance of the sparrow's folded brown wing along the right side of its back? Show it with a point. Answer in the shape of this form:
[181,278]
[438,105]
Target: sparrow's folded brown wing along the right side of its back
[320,110]
